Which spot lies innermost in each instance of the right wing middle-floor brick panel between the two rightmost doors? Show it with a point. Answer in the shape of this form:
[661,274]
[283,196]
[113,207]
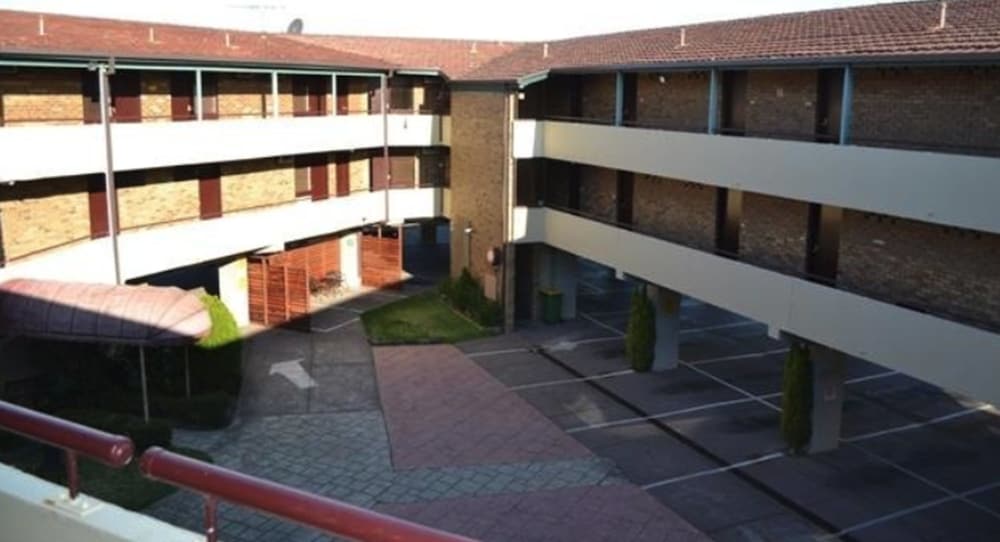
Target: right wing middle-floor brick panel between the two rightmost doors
[773,233]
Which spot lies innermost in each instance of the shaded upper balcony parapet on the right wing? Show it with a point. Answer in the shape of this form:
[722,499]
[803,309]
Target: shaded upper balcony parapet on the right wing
[949,189]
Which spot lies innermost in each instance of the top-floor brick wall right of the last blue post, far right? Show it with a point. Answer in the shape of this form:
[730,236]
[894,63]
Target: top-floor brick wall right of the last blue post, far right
[952,106]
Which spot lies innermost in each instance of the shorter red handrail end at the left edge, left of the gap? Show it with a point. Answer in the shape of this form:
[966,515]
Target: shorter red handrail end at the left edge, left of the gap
[112,450]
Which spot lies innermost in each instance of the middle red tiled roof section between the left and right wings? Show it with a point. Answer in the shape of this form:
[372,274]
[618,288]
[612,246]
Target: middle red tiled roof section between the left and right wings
[455,58]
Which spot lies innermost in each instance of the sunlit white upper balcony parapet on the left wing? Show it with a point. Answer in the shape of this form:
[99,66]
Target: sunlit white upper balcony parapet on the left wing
[79,149]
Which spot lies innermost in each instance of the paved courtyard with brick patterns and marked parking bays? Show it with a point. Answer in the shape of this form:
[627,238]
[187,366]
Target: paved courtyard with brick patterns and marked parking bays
[545,434]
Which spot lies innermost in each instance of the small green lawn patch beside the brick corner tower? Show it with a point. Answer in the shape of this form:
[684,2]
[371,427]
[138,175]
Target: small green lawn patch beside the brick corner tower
[421,319]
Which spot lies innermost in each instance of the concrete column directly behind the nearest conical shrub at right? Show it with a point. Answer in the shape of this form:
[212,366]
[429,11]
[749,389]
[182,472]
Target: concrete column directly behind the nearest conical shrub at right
[828,369]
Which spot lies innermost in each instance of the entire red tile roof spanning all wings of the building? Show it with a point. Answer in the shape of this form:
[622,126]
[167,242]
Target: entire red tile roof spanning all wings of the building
[898,31]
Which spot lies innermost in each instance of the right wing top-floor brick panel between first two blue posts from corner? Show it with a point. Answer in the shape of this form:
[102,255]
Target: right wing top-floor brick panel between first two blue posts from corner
[680,102]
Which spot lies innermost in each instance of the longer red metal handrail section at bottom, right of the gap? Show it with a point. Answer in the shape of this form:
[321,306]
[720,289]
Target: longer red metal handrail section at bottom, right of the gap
[334,517]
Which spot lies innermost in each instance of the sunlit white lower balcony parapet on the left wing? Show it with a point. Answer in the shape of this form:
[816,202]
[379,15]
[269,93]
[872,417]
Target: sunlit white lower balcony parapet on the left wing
[171,246]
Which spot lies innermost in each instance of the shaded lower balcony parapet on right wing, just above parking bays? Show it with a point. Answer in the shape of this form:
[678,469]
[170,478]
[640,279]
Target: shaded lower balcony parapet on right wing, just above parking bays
[912,342]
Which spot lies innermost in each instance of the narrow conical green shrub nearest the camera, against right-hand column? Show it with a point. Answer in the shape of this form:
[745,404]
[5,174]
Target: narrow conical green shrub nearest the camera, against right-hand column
[796,399]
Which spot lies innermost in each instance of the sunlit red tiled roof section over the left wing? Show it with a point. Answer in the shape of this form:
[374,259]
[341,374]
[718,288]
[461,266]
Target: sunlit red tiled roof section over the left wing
[84,36]
